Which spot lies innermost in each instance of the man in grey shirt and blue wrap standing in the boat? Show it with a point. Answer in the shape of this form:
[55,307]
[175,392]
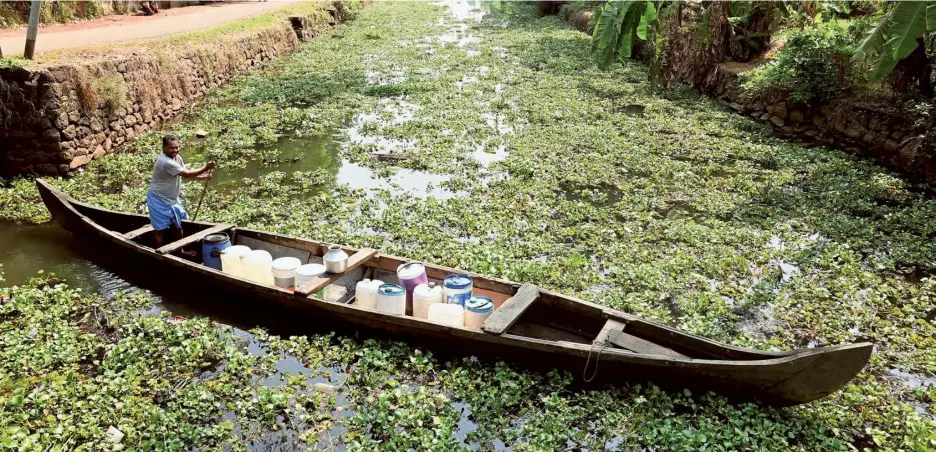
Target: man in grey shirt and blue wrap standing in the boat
[162,200]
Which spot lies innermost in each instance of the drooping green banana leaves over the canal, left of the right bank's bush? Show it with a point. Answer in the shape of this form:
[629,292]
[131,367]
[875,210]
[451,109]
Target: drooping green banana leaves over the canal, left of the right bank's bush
[620,23]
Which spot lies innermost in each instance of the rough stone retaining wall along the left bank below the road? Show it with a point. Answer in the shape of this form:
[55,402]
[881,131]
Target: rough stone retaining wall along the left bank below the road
[55,119]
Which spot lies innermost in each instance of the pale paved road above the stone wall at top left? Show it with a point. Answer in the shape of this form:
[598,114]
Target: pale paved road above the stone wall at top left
[112,29]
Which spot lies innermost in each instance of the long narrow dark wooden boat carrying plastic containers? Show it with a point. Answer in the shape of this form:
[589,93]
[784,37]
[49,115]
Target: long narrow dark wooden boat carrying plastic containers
[532,326]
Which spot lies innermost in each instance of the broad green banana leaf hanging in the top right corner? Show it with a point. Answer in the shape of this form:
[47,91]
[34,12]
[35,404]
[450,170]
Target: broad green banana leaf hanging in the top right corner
[896,36]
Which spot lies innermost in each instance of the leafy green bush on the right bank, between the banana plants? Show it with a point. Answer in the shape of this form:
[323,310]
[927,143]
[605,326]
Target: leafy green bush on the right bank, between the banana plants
[814,65]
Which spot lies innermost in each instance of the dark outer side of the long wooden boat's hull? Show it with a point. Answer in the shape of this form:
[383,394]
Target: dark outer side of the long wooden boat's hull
[779,379]
